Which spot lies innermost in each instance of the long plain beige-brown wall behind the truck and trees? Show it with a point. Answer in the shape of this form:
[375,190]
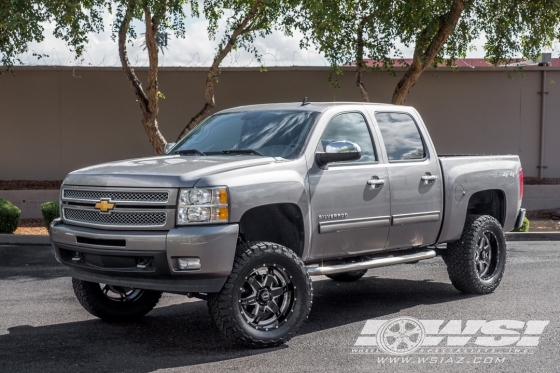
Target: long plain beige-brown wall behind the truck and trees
[55,120]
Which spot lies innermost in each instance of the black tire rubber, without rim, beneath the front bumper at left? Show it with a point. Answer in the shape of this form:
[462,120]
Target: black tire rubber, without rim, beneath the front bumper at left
[91,297]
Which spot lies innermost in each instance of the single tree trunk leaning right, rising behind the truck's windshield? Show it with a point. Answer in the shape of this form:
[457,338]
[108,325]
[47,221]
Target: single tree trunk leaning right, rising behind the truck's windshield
[214,70]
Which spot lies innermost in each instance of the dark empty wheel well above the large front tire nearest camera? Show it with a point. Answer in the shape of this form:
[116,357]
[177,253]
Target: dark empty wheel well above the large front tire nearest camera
[281,223]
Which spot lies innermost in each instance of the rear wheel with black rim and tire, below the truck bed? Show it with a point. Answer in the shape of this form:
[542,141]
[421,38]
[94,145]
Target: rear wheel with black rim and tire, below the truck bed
[476,262]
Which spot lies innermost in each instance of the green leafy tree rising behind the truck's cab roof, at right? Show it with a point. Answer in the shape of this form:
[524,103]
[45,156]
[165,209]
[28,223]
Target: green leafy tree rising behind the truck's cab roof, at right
[439,31]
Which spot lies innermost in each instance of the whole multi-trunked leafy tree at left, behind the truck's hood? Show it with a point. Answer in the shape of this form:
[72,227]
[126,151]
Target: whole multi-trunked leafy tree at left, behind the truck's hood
[20,24]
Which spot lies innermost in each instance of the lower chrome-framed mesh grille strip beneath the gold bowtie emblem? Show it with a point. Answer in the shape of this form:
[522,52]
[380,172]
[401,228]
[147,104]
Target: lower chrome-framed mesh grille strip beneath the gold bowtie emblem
[135,219]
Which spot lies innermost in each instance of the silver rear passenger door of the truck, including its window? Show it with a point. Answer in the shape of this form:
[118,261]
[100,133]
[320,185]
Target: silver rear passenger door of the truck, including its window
[416,181]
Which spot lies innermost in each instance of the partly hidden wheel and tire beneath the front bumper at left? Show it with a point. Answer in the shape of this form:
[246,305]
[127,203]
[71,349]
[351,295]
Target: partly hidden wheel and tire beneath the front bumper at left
[114,303]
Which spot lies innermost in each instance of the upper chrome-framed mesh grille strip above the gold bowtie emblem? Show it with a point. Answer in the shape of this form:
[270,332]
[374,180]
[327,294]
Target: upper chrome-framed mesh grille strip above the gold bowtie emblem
[96,195]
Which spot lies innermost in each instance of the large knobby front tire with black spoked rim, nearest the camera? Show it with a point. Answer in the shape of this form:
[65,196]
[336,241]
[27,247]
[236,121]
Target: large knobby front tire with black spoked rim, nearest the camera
[226,307]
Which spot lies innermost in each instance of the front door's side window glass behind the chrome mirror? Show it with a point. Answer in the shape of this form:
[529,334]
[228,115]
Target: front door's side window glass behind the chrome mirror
[349,127]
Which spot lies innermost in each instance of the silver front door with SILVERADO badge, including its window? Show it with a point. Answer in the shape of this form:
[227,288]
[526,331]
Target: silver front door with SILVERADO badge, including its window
[350,201]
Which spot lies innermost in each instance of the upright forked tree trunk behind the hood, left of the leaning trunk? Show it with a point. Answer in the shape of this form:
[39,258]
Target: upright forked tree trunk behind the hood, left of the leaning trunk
[148,102]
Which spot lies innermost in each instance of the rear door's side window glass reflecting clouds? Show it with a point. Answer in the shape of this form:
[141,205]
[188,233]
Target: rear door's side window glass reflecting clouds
[401,136]
